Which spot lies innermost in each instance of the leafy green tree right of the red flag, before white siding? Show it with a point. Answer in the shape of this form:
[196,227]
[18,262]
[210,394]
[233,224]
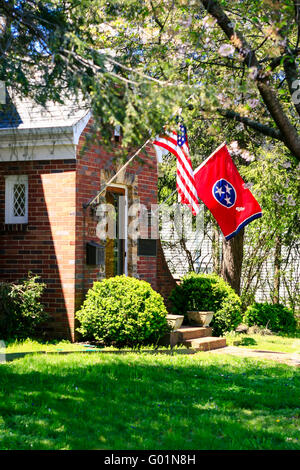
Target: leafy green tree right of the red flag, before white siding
[274,179]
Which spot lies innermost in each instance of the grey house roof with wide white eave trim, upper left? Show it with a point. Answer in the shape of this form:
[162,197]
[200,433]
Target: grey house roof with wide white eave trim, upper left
[29,130]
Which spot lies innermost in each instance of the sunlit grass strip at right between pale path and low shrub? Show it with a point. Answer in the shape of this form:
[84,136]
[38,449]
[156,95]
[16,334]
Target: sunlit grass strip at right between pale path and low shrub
[265,343]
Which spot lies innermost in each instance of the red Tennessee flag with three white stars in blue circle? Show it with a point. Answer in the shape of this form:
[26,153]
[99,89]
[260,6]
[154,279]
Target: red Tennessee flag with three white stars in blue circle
[222,189]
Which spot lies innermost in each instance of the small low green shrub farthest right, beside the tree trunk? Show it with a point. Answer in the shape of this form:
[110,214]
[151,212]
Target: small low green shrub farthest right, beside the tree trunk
[276,317]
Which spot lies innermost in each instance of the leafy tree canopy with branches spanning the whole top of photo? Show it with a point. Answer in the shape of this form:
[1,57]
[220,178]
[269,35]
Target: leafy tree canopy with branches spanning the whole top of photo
[233,68]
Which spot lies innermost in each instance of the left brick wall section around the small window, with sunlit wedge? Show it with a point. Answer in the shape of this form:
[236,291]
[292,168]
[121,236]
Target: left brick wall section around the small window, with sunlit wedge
[47,246]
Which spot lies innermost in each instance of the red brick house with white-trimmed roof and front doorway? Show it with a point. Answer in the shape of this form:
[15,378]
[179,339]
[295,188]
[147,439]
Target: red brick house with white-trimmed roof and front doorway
[48,173]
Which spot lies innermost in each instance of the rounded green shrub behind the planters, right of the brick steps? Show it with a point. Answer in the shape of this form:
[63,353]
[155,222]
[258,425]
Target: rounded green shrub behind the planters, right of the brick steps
[208,292]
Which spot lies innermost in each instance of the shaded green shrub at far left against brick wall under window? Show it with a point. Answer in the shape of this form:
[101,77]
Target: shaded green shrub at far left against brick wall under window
[20,309]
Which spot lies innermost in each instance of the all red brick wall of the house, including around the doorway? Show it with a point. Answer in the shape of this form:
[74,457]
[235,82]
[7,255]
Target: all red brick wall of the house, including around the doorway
[53,244]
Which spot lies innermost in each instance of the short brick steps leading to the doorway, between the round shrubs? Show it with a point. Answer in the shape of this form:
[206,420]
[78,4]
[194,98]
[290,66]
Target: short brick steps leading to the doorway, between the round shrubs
[199,338]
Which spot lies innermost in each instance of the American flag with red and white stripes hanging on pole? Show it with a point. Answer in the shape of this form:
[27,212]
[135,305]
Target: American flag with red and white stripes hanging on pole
[177,144]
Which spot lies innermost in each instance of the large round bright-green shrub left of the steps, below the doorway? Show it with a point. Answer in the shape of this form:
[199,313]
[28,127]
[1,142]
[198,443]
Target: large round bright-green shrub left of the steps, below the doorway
[123,311]
